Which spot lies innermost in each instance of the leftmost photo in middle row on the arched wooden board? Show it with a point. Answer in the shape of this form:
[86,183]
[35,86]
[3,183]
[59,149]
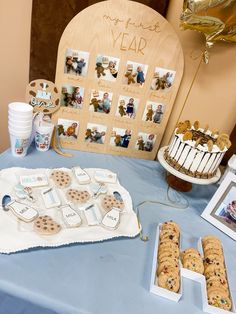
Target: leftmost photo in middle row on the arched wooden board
[72,96]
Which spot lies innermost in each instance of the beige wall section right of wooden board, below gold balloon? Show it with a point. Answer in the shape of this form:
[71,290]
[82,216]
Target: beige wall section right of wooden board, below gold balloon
[212,99]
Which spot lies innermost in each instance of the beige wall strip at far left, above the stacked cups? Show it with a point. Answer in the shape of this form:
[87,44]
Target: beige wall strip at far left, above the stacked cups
[15,19]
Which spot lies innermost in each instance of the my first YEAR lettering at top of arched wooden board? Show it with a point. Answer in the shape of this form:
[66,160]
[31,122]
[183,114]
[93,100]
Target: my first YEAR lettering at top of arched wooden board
[126,41]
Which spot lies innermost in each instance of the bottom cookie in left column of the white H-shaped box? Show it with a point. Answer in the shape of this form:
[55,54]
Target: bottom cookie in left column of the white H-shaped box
[169,280]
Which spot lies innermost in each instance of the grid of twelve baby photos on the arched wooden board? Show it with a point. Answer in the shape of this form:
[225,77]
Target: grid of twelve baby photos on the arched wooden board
[125,108]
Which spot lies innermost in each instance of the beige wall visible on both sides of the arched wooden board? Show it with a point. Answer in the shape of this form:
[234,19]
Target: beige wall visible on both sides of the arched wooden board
[212,99]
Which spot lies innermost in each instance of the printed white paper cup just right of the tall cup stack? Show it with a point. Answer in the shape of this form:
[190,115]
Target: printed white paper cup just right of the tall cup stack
[43,136]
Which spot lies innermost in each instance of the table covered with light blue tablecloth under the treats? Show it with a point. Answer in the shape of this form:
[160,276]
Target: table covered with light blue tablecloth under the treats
[111,276]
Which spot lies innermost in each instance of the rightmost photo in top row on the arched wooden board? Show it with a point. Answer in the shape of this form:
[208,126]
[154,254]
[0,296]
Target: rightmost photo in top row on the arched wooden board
[162,79]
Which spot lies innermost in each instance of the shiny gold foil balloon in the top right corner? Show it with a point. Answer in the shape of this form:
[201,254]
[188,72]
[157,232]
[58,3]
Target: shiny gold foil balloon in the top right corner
[216,19]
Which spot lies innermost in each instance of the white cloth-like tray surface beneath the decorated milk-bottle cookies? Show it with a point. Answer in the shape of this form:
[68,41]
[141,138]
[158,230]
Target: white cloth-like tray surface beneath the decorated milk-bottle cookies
[17,235]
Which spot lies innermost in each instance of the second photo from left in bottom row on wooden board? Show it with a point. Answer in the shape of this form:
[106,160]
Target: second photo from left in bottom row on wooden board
[95,133]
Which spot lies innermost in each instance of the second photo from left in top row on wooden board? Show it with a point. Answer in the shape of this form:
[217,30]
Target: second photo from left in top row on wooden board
[106,68]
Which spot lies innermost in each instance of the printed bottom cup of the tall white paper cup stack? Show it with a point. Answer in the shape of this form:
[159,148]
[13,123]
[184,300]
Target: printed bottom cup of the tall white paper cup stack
[19,144]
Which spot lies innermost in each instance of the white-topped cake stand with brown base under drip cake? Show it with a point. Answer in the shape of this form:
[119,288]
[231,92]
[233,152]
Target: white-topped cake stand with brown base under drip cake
[180,181]
